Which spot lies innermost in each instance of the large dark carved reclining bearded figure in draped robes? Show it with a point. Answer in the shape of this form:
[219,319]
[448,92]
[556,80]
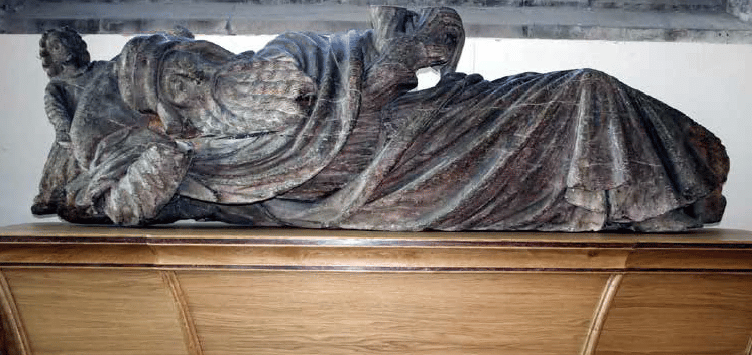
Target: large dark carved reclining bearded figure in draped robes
[326,132]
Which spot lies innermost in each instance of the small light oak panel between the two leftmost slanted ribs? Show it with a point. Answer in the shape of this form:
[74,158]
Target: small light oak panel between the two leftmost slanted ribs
[96,312]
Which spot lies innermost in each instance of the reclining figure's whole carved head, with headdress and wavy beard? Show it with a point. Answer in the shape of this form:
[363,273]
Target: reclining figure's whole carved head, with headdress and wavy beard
[199,88]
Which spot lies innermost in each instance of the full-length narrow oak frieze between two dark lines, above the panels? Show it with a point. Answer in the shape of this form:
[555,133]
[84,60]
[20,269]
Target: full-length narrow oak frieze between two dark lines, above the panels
[522,258]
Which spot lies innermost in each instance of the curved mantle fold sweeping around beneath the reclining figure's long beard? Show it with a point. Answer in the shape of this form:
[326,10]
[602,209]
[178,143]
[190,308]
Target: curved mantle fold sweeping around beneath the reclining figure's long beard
[246,170]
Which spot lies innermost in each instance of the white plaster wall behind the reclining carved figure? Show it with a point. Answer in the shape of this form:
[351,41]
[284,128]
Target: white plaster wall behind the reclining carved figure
[709,82]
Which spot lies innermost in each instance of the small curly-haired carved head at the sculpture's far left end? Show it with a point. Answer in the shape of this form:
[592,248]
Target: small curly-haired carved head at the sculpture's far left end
[63,52]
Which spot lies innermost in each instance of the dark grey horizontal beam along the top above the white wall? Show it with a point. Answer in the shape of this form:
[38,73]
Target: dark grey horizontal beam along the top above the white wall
[620,20]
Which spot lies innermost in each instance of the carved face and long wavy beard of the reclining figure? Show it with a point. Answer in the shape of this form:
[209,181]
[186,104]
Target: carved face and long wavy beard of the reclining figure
[217,96]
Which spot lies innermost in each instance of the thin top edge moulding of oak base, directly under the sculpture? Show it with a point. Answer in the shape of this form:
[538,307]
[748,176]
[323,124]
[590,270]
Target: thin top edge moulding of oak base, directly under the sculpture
[186,232]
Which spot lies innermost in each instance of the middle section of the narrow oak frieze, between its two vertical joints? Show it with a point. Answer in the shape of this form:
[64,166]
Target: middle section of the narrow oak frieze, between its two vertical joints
[390,257]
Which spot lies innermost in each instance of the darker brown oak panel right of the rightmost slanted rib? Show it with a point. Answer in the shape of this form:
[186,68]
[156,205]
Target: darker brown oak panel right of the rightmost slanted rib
[679,314]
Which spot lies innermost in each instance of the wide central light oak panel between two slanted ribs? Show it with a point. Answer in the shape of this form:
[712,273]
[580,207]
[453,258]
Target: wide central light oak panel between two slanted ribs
[397,313]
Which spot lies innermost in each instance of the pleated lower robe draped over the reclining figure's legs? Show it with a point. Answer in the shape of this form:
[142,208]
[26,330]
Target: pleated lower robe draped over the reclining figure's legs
[571,150]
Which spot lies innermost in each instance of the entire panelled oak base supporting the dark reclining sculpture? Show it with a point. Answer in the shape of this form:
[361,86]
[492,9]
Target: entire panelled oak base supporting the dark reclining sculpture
[197,289]
